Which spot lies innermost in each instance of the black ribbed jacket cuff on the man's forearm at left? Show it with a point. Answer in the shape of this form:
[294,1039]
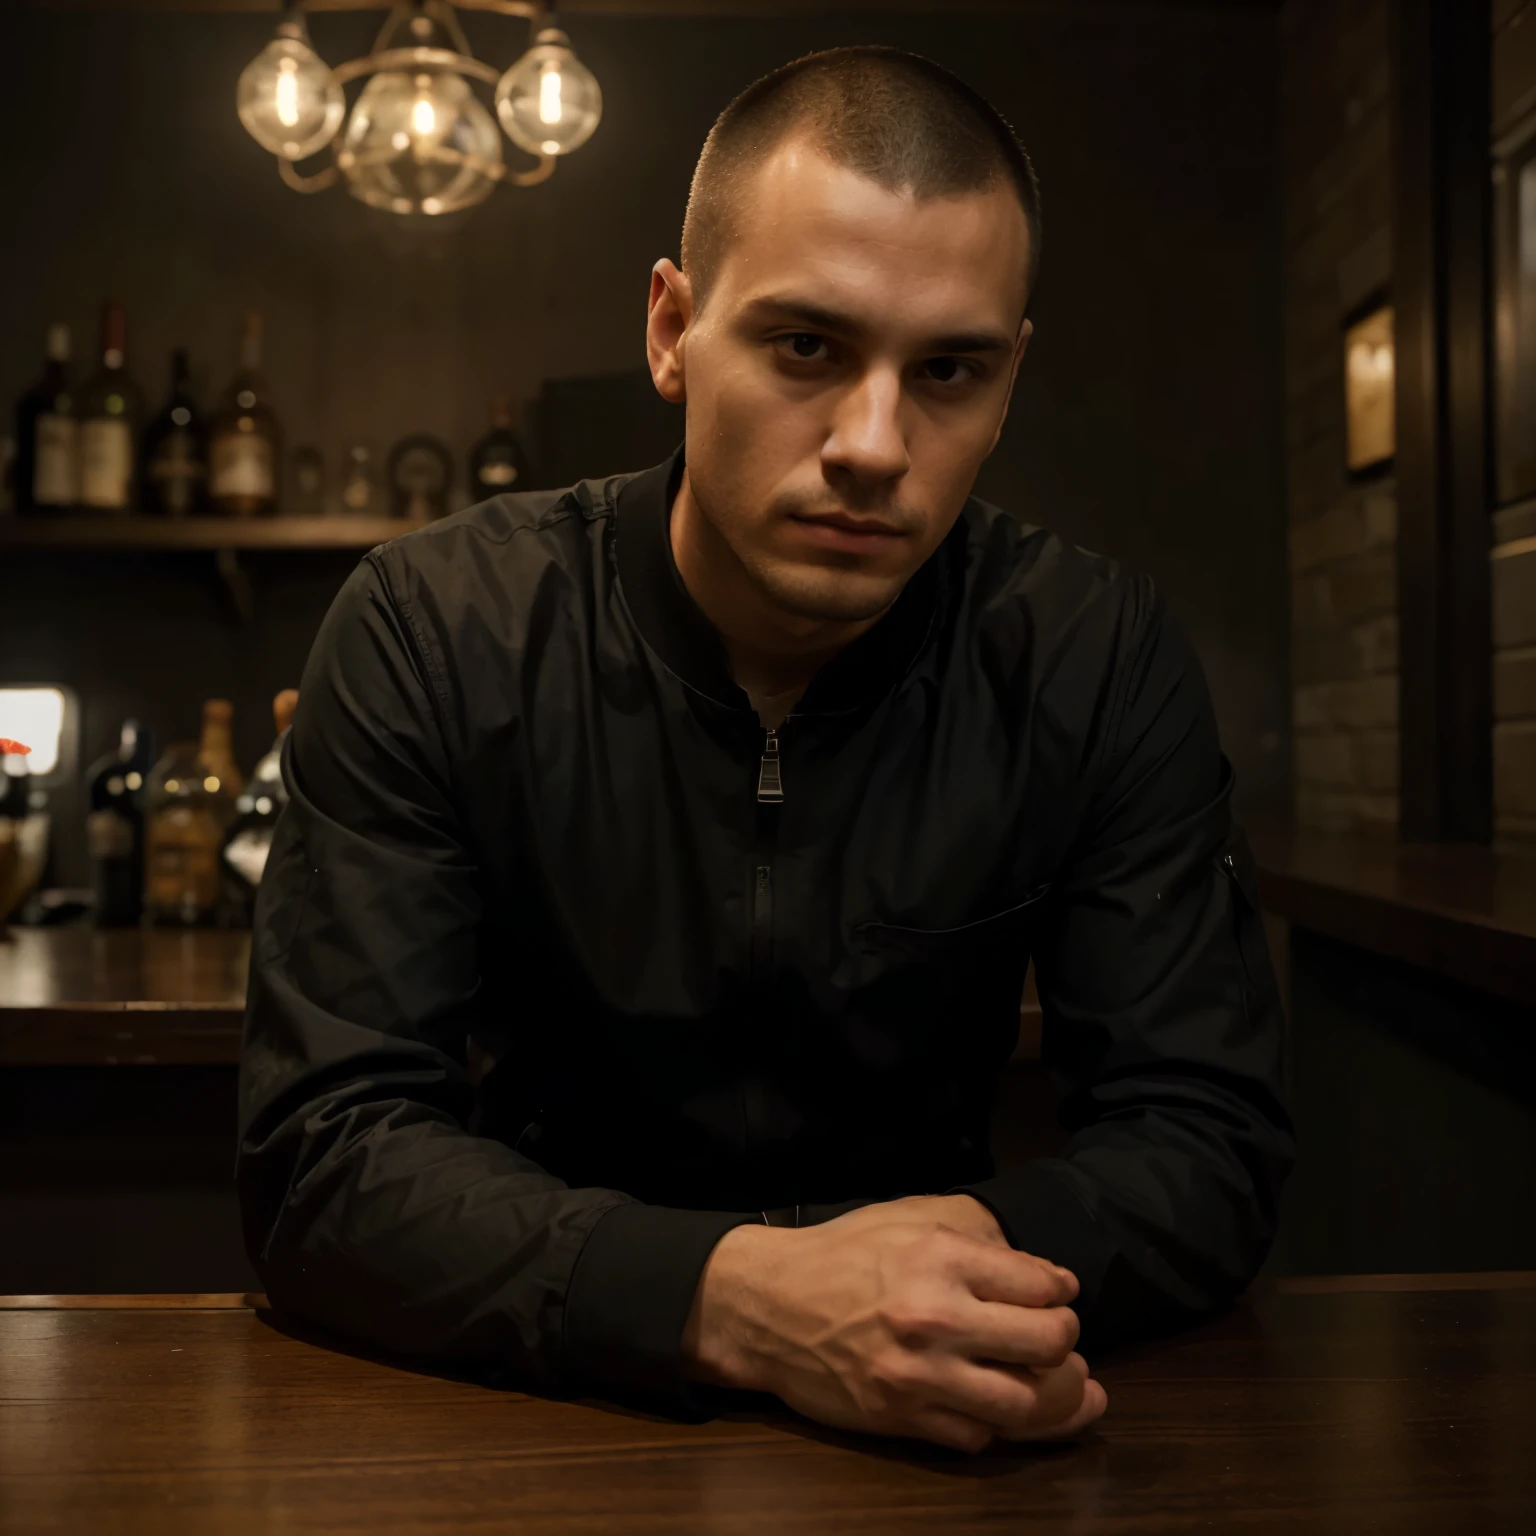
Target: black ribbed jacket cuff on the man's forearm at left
[631,1297]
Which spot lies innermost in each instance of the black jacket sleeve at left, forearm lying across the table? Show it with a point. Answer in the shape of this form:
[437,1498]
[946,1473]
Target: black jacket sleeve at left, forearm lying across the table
[368,1203]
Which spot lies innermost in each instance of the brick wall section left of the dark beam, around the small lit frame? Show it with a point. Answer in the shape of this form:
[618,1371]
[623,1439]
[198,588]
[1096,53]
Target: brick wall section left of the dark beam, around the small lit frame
[1343,534]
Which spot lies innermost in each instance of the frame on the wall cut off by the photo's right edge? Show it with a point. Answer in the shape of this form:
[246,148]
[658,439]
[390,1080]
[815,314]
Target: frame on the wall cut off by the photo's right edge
[1515,311]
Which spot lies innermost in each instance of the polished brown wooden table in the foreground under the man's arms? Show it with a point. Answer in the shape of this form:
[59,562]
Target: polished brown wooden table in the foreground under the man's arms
[1391,1405]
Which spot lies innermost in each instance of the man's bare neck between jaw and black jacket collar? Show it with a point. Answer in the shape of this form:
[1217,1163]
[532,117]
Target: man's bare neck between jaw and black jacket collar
[773,655]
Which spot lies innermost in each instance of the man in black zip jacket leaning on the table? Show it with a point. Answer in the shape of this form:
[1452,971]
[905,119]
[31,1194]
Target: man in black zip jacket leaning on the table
[644,941]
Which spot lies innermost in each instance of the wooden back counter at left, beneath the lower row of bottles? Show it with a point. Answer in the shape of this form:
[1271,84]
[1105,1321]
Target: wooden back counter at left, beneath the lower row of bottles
[122,996]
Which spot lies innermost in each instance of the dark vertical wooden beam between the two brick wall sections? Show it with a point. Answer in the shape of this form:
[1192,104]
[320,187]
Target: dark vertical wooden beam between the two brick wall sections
[1442,253]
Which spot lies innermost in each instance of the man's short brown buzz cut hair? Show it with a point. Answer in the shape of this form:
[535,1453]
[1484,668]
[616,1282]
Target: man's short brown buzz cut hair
[898,119]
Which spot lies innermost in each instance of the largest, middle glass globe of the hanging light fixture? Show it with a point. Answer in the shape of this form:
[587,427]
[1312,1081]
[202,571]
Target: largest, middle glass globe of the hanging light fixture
[420,144]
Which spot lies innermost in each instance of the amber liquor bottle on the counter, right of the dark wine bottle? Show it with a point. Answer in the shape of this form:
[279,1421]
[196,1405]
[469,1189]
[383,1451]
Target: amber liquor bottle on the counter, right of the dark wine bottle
[188,810]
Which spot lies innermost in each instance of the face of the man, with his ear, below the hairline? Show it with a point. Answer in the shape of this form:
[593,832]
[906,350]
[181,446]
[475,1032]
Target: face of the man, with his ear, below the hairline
[847,377]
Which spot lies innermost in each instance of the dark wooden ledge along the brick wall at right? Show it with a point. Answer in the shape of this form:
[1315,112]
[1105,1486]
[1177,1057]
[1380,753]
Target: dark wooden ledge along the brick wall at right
[1463,912]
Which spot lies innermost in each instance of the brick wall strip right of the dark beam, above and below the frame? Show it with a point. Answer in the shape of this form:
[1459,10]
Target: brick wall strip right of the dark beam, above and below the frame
[1514,528]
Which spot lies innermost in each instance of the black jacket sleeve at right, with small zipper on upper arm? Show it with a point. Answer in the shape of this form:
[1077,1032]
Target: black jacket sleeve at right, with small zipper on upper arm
[1164,1025]
